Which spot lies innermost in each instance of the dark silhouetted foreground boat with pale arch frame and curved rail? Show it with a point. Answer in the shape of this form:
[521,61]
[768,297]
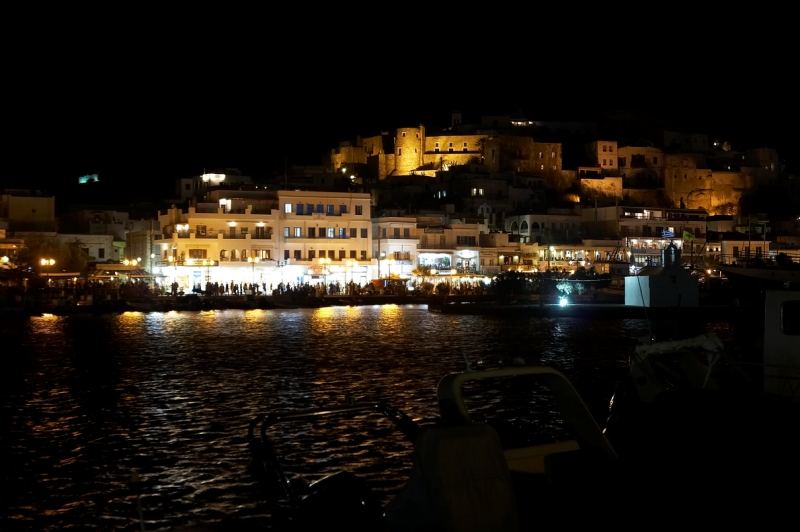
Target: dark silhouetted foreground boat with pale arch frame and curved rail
[468,473]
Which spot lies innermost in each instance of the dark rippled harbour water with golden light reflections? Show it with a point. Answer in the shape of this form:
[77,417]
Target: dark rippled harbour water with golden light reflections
[124,421]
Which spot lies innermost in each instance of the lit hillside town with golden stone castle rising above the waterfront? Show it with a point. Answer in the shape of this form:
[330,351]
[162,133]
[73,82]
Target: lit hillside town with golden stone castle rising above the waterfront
[418,206]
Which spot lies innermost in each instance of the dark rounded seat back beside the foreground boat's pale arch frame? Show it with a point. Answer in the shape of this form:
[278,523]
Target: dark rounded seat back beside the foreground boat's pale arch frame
[460,482]
